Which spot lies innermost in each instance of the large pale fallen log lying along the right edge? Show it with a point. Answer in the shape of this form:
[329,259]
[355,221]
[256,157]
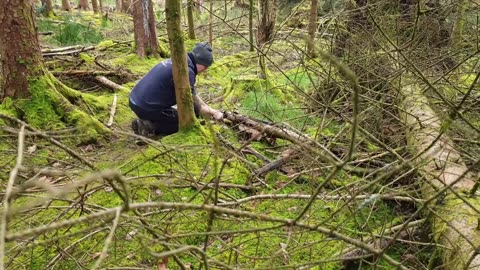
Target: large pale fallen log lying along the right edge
[455,216]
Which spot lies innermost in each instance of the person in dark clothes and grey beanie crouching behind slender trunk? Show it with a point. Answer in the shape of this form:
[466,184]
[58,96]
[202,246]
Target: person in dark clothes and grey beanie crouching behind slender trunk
[153,98]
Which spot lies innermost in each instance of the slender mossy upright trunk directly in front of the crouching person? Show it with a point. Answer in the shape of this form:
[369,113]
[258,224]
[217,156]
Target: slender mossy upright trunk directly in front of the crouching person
[186,116]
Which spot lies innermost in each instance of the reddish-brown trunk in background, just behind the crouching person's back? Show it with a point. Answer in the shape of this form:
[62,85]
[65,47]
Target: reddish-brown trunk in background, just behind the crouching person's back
[144,29]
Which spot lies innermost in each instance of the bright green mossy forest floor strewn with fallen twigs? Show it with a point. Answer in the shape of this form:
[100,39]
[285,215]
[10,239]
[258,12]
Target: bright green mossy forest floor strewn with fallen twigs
[197,199]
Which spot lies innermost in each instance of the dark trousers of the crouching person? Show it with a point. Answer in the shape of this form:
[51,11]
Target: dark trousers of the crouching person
[164,120]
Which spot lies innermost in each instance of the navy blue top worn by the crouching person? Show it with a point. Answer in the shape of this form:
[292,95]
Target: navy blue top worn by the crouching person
[156,89]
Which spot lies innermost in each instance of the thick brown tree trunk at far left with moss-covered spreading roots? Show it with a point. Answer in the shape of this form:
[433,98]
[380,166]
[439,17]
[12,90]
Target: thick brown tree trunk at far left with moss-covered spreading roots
[39,97]
